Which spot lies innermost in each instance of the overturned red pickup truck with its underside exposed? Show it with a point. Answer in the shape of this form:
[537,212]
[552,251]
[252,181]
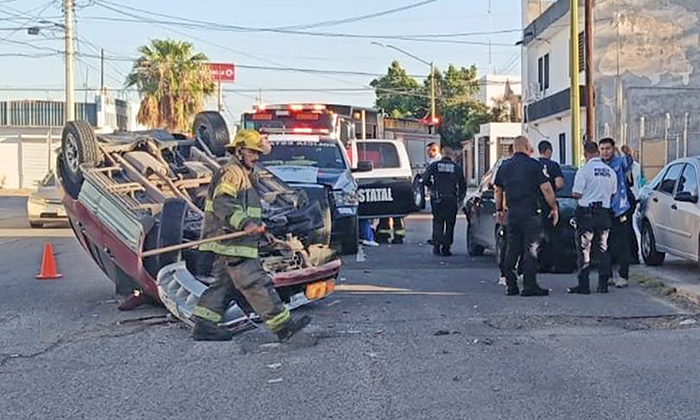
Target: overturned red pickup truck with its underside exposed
[133,197]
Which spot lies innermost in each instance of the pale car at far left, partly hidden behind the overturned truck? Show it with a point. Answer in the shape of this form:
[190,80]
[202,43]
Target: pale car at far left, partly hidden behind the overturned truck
[44,205]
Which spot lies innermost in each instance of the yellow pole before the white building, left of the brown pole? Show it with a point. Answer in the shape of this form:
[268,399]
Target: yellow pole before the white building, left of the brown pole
[575,92]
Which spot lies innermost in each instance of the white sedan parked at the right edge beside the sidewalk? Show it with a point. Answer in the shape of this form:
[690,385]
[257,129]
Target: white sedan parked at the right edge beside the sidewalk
[669,214]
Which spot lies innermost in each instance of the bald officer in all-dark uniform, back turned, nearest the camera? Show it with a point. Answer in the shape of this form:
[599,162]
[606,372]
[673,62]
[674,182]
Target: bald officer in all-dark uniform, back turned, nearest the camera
[521,179]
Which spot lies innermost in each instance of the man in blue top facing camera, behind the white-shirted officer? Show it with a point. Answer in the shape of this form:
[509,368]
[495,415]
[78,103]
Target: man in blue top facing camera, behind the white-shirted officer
[619,234]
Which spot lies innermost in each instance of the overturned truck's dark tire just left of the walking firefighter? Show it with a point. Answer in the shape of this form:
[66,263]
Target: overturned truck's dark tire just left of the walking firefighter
[168,232]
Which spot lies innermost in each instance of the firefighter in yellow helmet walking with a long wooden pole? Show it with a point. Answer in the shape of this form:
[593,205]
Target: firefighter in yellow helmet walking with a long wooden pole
[233,205]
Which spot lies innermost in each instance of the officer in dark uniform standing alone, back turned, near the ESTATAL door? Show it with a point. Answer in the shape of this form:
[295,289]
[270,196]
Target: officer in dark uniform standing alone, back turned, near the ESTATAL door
[447,189]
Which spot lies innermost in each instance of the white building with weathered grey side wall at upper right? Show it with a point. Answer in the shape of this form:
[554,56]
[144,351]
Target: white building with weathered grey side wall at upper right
[646,67]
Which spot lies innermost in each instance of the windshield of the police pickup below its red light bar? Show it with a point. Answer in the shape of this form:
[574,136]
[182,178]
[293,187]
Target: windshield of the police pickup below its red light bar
[315,154]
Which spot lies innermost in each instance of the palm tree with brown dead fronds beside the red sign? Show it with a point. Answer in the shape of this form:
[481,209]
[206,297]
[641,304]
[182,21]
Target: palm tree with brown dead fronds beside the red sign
[173,81]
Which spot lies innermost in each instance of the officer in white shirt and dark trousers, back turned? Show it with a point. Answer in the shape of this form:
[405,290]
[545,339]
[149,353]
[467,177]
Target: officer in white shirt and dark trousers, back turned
[594,186]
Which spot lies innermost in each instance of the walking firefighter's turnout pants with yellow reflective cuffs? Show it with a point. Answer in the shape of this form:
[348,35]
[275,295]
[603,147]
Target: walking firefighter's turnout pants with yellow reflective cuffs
[246,276]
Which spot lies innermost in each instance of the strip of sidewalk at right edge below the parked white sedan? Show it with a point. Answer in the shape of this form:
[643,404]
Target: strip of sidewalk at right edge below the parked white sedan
[675,276]
